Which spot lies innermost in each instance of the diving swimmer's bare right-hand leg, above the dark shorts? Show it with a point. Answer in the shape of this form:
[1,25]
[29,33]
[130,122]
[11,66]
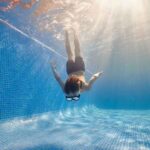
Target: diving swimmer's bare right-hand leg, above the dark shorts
[77,45]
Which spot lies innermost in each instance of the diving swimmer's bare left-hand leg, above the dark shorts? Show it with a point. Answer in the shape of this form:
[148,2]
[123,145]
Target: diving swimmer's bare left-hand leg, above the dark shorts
[68,47]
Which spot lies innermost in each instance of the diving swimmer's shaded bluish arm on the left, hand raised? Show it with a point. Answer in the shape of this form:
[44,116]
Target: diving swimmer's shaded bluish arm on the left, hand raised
[57,76]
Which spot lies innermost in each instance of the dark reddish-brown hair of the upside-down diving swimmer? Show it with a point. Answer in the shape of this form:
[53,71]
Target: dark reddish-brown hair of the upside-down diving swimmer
[72,85]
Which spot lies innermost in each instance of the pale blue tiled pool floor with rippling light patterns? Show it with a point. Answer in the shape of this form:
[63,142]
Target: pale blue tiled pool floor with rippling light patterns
[86,128]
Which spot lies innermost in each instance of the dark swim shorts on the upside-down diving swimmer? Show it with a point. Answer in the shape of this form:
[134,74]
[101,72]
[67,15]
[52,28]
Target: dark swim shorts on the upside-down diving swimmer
[74,66]
